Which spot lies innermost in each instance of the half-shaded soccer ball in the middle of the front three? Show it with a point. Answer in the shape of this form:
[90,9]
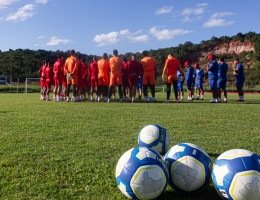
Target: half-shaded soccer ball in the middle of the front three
[189,167]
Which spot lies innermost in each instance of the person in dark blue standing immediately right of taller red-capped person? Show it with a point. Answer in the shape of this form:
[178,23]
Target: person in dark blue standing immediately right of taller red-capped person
[222,79]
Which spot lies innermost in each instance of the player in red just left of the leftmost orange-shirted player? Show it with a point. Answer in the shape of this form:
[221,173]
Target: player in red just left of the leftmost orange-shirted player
[58,75]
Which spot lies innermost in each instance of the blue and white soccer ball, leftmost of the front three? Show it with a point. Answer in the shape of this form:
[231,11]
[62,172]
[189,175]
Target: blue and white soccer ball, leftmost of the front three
[141,174]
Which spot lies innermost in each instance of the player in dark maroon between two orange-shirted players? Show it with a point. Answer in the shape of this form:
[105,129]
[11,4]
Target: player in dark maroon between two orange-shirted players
[135,70]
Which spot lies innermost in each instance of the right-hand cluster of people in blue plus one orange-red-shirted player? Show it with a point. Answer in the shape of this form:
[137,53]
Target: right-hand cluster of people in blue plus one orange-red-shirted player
[194,77]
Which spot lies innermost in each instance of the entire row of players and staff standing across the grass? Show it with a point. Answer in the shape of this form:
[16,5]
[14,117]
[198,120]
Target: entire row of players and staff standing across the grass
[98,81]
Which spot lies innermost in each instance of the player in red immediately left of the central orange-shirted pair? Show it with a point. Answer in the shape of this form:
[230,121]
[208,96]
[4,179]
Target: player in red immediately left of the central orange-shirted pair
[93,74]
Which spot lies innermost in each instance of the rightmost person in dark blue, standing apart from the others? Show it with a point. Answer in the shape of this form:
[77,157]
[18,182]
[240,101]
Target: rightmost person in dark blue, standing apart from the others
[238,71]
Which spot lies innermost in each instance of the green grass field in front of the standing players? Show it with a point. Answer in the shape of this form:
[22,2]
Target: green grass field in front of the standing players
[64,150]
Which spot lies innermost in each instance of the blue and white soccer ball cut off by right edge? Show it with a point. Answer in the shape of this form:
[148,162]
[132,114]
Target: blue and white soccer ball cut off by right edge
[236,175]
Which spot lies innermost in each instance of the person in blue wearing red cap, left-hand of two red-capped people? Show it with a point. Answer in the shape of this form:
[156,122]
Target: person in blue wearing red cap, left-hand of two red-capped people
[189,79]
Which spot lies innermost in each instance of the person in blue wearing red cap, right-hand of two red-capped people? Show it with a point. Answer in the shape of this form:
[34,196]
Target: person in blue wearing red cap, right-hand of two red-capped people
[213,77]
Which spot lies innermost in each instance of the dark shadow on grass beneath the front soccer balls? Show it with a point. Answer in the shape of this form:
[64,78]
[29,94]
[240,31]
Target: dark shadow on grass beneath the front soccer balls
[208,194]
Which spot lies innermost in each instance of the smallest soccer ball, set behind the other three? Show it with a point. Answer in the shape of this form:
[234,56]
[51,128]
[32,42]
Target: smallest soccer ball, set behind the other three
[155,137]
